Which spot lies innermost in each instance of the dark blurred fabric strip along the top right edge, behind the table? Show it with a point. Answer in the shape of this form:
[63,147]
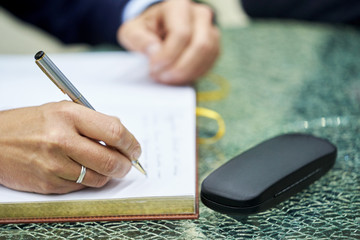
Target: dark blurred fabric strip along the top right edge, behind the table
[330,11]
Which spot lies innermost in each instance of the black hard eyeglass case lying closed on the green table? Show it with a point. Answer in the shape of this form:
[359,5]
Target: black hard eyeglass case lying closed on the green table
[267,174]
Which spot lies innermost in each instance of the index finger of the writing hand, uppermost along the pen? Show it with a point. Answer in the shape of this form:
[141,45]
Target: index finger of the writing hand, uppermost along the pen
[108,129]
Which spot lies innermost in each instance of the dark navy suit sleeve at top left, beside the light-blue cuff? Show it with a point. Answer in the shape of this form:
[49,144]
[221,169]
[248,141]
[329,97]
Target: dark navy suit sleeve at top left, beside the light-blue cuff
[72,21]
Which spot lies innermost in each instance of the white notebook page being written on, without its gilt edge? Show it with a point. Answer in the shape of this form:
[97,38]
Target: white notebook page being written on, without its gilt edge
[161,117]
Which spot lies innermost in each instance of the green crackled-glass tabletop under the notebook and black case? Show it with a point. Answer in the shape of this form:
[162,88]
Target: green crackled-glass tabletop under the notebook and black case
[283,77]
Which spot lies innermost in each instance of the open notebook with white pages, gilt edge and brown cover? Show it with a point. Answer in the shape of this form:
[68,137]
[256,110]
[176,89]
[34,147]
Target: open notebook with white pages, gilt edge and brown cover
[161,117]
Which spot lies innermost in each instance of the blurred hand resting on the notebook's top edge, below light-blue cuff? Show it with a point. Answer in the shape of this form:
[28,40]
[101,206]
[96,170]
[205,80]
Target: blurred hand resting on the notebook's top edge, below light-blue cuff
[179,38]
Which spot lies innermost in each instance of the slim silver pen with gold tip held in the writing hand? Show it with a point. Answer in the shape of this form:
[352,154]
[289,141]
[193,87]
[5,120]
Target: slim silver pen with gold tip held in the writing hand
[61,81]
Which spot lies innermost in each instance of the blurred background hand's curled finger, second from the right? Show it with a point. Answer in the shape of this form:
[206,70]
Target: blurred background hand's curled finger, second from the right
[177,20]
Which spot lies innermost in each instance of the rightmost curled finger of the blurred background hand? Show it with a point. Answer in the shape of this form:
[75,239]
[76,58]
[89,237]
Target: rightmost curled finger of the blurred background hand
[201,54]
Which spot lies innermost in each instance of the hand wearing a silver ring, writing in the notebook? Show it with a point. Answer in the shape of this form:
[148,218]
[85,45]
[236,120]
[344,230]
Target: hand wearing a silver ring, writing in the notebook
[43,148]
